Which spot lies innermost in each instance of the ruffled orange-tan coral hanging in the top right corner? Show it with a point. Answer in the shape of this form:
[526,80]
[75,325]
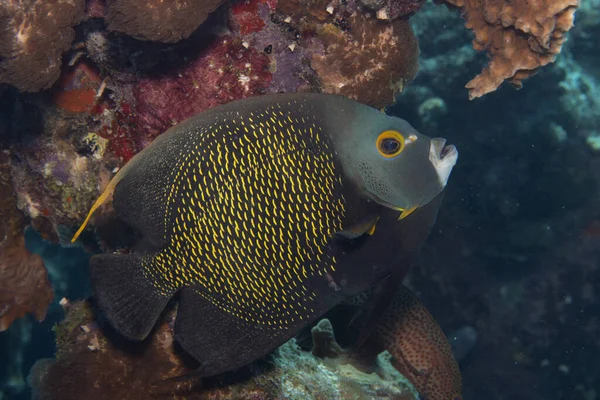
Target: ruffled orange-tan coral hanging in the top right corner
[520,36]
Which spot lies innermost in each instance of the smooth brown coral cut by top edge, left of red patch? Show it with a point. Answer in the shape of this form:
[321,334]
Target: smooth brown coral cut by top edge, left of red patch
[162,21]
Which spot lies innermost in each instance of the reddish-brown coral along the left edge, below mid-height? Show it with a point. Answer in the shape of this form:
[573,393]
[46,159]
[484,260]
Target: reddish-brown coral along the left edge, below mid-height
[24,285]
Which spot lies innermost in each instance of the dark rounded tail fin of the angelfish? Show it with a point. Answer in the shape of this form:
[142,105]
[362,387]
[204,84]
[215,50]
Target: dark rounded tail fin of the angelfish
[130,302]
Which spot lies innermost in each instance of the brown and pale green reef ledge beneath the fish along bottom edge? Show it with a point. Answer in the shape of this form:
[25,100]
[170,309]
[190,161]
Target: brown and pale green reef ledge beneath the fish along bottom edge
[92,365]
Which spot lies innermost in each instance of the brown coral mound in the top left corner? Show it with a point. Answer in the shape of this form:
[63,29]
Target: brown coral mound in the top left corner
[33,37]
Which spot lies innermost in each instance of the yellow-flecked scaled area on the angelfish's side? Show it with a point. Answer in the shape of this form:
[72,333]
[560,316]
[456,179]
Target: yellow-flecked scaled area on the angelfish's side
[253,204]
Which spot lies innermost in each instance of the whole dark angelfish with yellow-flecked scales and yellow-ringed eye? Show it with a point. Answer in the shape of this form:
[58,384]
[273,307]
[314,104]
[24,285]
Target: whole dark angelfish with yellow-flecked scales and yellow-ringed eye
[262,214]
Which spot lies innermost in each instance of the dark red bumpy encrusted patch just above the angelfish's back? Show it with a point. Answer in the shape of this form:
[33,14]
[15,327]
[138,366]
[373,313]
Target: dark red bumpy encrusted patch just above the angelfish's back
[224,72]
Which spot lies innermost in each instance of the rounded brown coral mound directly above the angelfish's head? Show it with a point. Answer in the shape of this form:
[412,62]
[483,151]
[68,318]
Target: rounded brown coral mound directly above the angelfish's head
[362,57]
